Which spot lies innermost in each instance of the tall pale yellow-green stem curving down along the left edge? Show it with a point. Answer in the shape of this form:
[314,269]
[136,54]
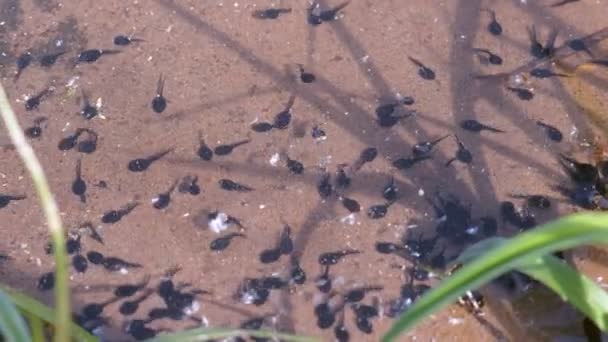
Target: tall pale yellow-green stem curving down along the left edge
[51,212]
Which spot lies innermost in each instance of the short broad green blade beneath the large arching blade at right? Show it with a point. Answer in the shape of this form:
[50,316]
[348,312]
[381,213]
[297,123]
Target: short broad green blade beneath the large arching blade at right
[572,286]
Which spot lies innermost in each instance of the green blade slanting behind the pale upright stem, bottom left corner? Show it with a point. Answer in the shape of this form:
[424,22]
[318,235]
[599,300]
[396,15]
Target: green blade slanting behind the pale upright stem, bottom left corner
[31,305]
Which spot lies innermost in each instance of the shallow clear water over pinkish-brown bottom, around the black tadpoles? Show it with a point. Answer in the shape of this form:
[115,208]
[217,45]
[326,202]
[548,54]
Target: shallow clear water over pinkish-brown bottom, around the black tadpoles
[223,70]
